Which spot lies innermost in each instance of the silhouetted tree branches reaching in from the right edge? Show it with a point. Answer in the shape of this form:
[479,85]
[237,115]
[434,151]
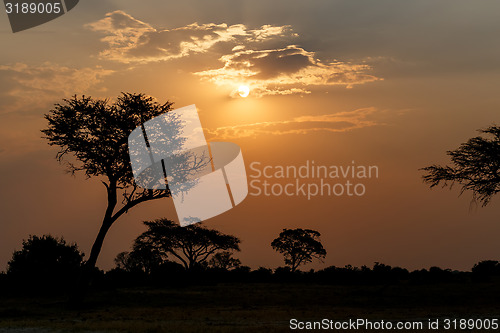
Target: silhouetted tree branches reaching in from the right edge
[475,166]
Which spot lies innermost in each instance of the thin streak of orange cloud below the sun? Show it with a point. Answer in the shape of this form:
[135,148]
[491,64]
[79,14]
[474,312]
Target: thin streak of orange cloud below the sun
[335,122]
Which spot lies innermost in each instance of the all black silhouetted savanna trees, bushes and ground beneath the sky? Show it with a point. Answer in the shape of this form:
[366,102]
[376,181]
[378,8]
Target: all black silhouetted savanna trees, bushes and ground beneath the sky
[190,279]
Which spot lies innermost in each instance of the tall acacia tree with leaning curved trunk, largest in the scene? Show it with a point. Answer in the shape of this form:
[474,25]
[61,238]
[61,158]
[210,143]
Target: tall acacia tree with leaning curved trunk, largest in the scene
[93,138]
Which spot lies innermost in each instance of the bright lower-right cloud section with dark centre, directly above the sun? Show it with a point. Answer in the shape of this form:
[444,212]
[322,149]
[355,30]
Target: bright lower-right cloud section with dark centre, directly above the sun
[285,71]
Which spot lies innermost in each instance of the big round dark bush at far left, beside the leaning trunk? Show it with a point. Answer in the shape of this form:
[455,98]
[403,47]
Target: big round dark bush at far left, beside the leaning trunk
[45,261]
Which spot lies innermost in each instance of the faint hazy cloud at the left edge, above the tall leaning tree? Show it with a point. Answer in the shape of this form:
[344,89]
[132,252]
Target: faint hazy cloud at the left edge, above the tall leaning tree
[27,86]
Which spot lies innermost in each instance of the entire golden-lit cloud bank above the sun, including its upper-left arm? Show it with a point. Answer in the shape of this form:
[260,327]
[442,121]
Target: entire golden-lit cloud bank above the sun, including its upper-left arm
[261,58]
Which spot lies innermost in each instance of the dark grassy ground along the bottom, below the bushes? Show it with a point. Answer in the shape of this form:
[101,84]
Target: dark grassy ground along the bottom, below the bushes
[254,307]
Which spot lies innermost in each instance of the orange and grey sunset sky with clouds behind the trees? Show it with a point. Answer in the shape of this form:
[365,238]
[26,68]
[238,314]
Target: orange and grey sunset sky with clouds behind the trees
[392,84]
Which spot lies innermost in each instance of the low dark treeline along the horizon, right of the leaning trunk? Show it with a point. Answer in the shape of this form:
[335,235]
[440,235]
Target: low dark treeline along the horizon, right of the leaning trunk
[173,274]
